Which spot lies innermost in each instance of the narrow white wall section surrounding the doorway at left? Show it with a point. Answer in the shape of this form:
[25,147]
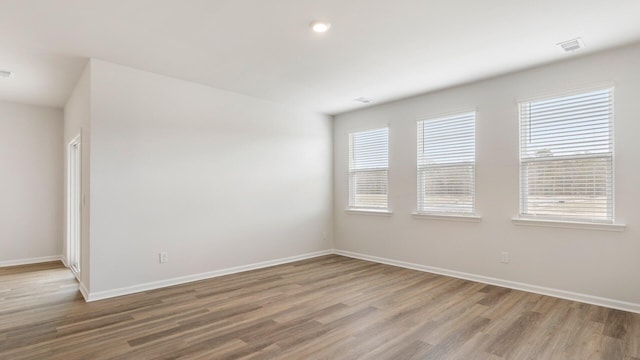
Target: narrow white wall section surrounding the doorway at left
[77,118]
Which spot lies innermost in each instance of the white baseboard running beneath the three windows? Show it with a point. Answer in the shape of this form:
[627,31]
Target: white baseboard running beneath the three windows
[563,294]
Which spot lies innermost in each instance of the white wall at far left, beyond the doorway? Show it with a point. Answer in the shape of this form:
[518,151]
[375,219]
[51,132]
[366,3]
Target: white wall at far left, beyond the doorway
[31,183]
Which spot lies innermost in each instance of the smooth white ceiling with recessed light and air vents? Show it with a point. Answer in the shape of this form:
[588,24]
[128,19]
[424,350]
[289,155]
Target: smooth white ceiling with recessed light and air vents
[381,49]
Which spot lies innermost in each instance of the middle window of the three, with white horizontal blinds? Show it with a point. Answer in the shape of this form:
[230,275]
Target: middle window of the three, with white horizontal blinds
[446,164]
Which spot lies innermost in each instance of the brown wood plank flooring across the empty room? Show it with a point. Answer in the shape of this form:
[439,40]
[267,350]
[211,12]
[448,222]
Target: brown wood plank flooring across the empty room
[330,307]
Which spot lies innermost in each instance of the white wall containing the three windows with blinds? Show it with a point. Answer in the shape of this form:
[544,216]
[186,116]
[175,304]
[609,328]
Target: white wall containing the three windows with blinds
[595,263]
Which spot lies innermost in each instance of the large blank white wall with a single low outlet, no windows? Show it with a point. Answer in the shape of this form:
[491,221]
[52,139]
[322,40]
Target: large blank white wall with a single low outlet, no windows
[214,178]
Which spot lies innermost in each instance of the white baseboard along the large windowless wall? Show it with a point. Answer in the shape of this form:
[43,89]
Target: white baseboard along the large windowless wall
[101,295]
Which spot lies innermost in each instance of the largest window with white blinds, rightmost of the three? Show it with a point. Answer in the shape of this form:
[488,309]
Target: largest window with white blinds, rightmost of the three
[566,157]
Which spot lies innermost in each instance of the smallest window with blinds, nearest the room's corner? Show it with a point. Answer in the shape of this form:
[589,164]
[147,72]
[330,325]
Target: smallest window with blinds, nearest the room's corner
[368,169]
